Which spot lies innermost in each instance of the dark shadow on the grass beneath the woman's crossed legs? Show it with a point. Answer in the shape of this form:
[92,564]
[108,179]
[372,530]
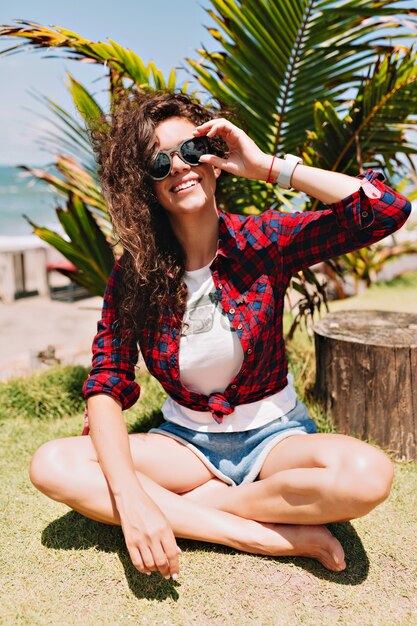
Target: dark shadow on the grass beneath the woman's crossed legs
[76,532]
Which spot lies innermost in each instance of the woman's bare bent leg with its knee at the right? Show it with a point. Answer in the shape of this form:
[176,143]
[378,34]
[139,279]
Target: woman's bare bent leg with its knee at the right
[312,479]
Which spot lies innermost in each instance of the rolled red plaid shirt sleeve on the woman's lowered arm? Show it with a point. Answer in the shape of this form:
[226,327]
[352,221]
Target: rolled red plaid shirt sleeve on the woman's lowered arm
[114,356]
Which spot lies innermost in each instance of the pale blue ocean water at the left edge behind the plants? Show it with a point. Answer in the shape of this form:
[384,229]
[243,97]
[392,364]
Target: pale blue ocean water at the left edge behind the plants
[20,194]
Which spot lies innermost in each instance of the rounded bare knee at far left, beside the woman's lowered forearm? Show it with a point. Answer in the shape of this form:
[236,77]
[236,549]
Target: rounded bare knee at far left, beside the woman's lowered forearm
[49,470]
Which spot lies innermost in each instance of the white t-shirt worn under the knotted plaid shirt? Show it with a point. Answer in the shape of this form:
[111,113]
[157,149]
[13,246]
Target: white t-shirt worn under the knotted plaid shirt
[210,356]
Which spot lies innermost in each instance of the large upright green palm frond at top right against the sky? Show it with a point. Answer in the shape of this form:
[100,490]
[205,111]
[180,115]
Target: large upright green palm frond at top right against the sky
[278,57]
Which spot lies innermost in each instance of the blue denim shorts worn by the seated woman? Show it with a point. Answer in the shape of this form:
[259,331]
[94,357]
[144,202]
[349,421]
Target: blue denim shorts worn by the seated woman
[237,457]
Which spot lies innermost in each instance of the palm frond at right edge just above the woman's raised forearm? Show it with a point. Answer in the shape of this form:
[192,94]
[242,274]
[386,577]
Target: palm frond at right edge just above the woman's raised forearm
[375,130]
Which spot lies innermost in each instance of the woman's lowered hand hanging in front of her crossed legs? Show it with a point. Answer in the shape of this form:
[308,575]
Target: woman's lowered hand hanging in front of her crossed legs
[149,538]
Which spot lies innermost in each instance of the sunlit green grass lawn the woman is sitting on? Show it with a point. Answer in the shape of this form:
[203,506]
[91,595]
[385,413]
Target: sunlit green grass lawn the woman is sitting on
[58,568]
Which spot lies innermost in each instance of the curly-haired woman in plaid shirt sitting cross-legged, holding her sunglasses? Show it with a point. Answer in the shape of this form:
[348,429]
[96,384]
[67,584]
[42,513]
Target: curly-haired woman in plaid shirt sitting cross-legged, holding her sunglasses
[202,291]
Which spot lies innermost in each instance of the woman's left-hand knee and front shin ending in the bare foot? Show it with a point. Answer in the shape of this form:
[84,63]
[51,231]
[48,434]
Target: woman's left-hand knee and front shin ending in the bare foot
[70,473]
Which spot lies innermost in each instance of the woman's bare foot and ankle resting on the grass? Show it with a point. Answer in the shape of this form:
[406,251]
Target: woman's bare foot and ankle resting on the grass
[302,540]
